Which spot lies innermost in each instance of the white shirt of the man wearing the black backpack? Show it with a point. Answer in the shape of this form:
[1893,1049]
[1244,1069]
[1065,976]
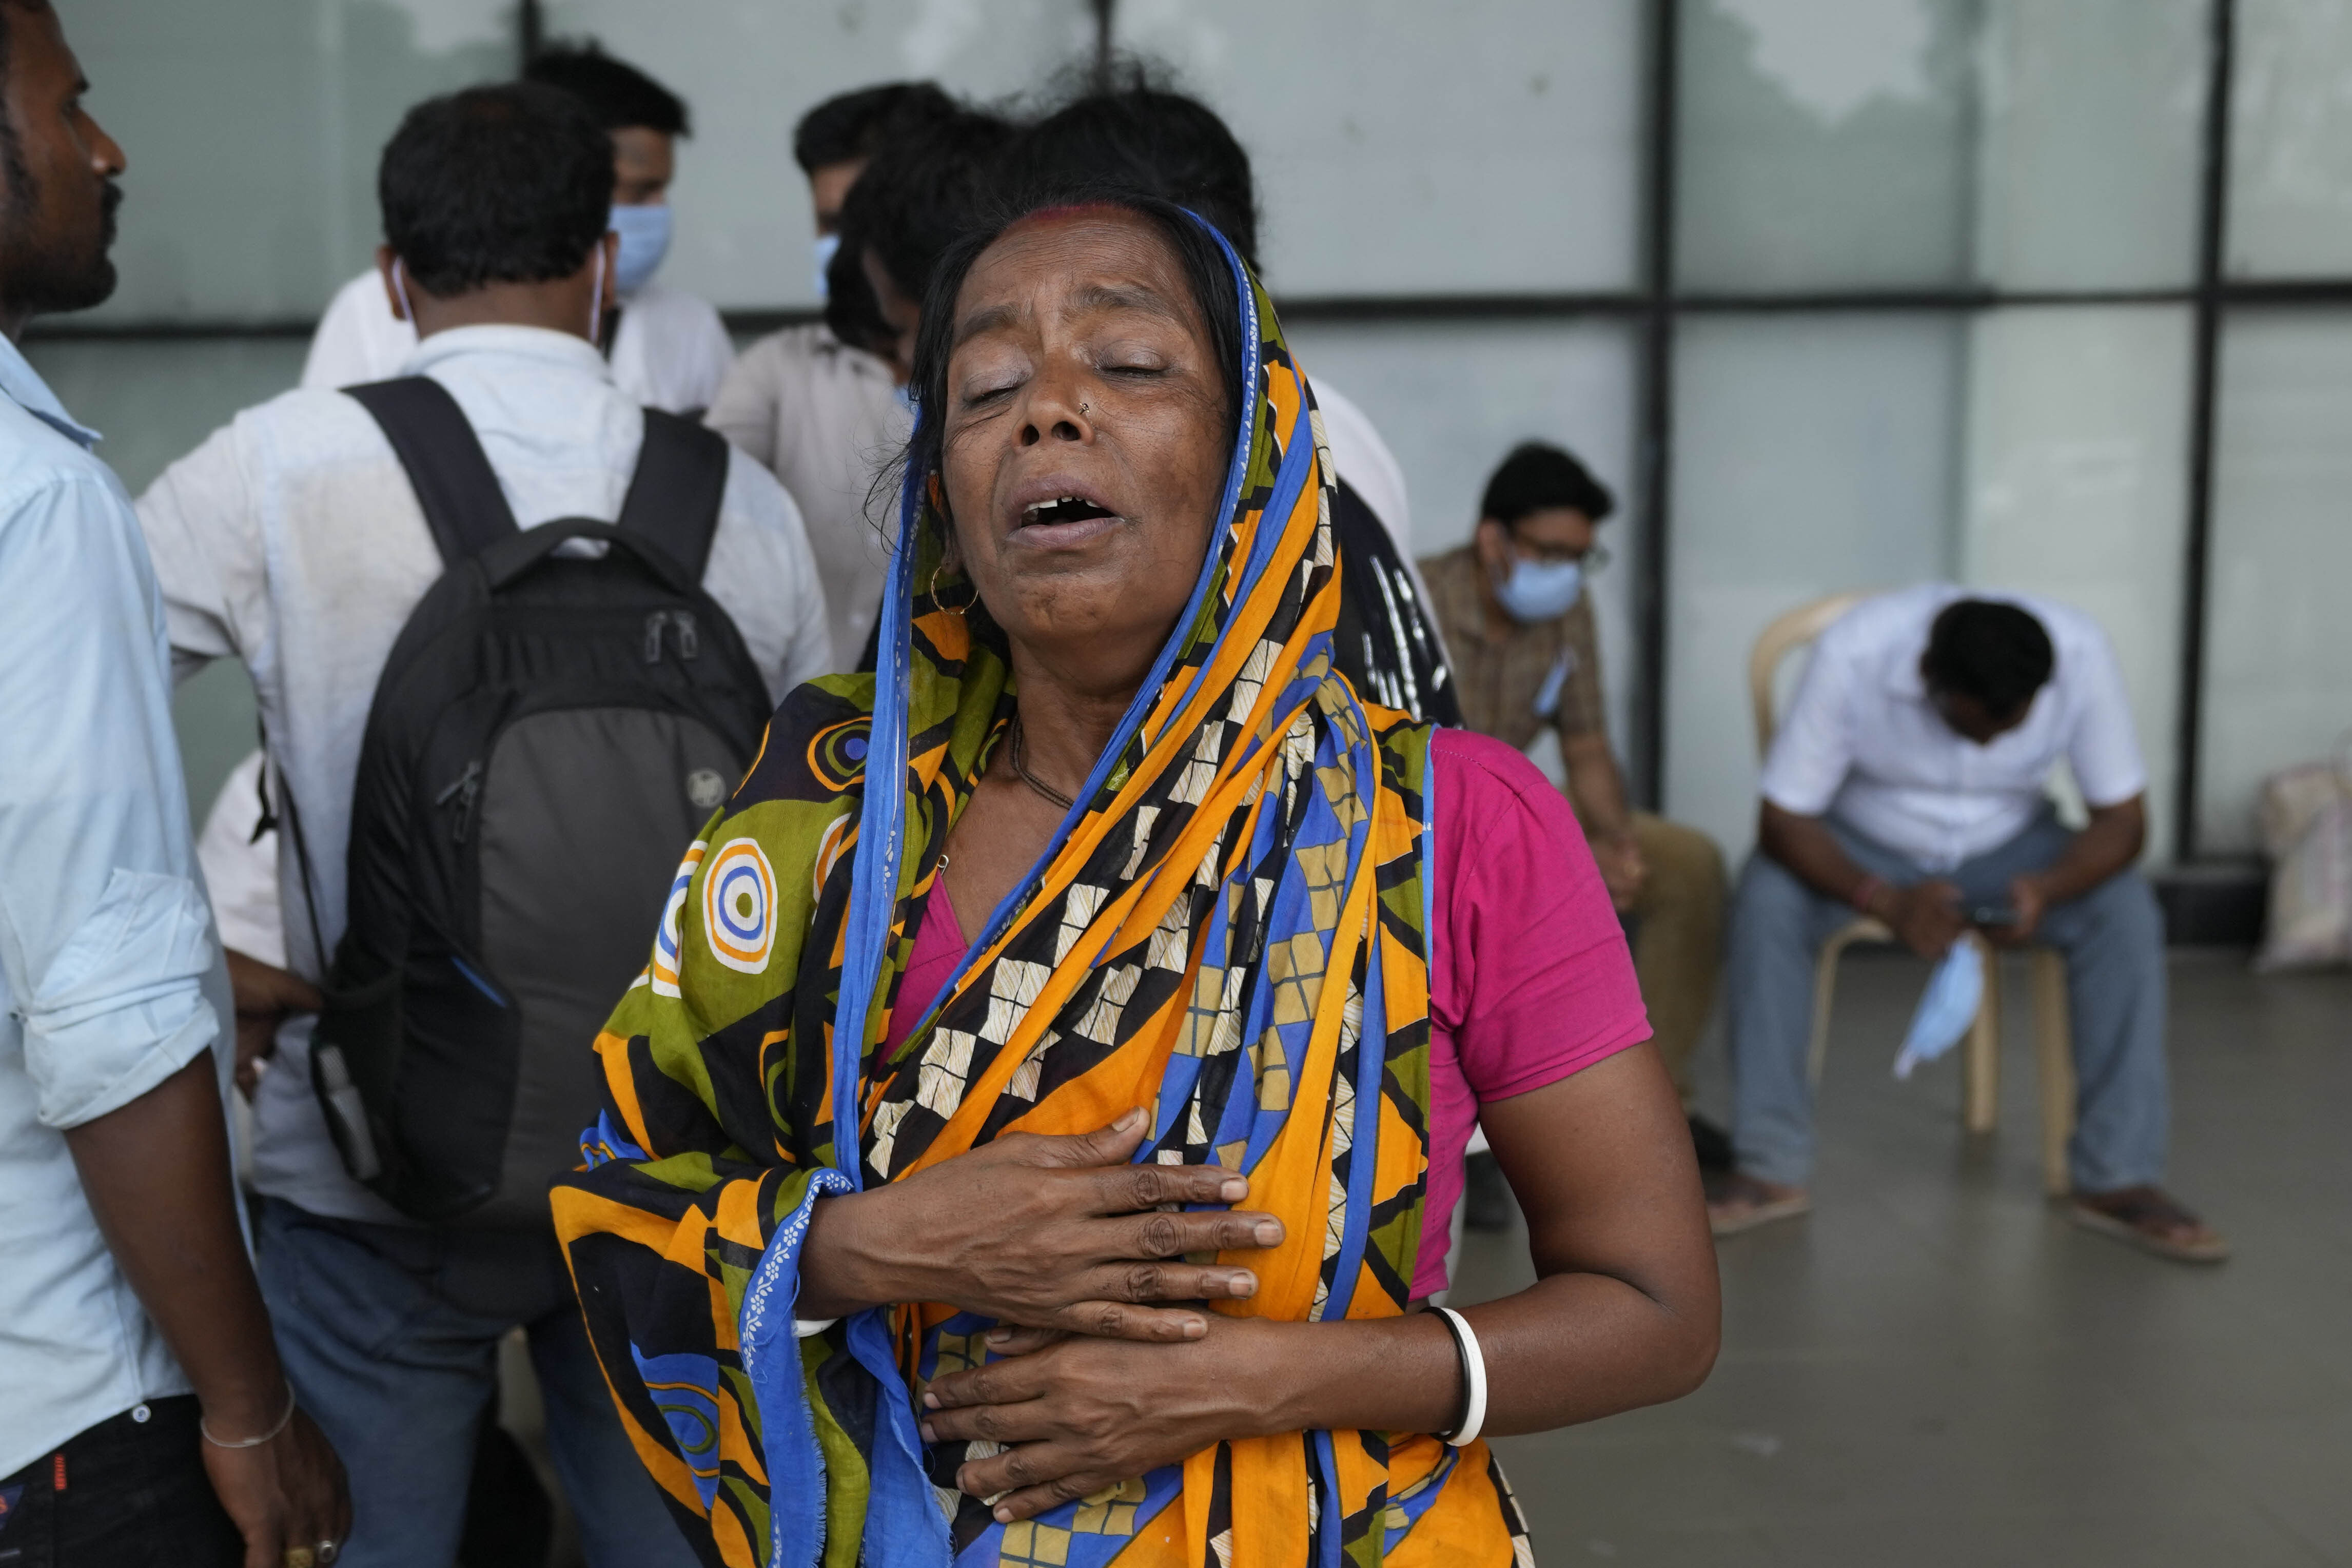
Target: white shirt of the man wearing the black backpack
[290,540]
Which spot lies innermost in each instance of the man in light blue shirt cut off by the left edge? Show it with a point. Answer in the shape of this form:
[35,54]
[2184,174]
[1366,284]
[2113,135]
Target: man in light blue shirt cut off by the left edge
[135,1360]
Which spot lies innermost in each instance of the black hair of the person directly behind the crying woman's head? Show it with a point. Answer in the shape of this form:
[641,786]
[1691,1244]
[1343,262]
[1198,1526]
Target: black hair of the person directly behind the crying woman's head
[1147,138]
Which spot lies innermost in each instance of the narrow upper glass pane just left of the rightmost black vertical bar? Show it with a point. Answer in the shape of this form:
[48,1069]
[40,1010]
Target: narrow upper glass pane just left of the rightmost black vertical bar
[2092,135]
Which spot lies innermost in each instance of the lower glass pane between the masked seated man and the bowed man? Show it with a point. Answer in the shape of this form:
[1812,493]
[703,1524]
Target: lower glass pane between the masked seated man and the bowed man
[1812,457]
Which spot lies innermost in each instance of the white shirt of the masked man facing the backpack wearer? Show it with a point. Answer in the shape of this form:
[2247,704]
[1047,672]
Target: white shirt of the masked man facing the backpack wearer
[671,351]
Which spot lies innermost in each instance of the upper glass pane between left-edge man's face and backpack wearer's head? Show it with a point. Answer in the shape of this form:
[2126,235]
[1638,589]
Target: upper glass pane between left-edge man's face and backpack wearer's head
[253,133]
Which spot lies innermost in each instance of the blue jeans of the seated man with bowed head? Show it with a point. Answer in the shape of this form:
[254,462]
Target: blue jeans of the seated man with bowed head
[2113,944]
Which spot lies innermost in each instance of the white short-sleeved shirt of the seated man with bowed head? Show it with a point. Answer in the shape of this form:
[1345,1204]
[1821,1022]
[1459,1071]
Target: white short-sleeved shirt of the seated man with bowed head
[1864,744]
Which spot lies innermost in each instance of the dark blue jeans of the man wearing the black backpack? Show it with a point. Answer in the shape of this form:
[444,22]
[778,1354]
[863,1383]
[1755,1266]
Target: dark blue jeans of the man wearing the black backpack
[392,1339]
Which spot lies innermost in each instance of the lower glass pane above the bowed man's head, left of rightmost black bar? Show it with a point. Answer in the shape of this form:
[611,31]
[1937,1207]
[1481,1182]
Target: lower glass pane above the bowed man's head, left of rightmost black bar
[2078,490]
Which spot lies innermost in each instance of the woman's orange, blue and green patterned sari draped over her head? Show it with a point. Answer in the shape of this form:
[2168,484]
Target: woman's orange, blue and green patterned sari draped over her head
[1231,932]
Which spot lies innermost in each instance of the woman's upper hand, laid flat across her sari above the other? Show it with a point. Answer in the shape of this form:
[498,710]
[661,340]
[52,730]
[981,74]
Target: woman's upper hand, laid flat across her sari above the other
[1043,1233]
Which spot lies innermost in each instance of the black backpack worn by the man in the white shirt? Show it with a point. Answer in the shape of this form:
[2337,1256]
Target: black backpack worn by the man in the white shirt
[547,735]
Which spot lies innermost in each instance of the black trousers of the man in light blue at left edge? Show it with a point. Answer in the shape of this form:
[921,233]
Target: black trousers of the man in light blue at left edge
[126,1494]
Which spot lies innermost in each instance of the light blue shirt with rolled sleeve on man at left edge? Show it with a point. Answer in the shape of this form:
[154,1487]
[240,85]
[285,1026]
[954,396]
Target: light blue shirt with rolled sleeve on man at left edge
[109,977]
